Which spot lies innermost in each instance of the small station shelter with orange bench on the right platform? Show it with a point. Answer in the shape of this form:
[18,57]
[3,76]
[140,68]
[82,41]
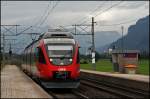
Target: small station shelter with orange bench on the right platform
[125,61]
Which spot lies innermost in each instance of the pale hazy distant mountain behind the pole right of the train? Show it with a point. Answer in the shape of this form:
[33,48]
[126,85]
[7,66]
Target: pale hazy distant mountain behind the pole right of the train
[102,38]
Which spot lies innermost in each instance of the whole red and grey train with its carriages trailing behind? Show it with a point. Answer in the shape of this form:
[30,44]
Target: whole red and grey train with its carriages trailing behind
[53,59]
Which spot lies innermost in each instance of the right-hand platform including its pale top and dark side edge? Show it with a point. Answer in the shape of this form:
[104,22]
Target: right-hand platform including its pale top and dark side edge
[134,81]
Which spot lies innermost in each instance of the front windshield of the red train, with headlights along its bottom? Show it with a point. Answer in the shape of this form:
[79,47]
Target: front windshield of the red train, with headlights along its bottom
[60,54]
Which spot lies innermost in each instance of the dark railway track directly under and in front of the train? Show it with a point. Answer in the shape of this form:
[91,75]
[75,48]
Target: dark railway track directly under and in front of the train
[82,92]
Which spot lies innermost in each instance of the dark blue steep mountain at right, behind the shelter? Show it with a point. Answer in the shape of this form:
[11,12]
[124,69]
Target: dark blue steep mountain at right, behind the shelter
[137,37]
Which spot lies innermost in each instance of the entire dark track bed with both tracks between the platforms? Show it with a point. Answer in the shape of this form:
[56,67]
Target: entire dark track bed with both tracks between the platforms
[90,88]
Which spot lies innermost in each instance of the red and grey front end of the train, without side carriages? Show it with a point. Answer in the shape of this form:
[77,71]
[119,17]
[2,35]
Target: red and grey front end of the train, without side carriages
[62,56]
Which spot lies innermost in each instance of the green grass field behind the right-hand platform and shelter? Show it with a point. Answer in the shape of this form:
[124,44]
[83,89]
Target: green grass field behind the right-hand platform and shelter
[105,65]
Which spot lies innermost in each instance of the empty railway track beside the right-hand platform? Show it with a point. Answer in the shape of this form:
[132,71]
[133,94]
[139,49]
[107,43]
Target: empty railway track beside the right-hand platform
[119,91]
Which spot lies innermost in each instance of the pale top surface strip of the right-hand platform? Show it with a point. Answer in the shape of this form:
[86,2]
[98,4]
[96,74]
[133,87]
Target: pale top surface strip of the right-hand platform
[136,77]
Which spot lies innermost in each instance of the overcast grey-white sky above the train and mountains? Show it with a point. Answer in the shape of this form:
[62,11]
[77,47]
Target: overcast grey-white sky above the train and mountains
[65,13]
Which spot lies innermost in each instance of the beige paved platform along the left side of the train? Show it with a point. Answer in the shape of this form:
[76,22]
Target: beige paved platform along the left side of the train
[15,84]
